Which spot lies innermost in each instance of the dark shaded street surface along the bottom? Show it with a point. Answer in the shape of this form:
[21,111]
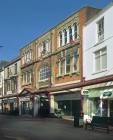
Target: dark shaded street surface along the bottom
[21,128]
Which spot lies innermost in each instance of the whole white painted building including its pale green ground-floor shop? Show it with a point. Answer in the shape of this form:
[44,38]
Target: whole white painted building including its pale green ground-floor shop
[97,63]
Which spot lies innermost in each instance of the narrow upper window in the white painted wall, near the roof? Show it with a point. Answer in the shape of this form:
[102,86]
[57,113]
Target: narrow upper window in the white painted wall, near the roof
[100,26]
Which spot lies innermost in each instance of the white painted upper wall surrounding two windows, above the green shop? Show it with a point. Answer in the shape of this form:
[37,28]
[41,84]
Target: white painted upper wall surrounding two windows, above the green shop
[91,44]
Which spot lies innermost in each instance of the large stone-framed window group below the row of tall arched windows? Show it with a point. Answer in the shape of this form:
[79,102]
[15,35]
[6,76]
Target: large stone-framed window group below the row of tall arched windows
[67,61]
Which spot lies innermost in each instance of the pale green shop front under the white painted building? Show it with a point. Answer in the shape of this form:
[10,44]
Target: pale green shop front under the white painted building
[97,101]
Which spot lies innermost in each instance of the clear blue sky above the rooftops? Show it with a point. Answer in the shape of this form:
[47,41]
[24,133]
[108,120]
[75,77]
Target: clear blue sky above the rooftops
[22,21]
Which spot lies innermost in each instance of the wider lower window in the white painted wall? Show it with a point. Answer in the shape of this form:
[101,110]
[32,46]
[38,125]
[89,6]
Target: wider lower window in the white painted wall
[100,60]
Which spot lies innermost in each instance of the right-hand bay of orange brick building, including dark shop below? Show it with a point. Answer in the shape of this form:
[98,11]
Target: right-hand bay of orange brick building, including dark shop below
[67,63]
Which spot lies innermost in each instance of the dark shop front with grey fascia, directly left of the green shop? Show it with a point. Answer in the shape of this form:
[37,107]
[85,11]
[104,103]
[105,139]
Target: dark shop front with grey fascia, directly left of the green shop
[69,103]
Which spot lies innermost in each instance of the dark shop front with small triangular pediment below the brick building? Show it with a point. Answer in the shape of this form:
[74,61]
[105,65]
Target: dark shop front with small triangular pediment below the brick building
[33,103]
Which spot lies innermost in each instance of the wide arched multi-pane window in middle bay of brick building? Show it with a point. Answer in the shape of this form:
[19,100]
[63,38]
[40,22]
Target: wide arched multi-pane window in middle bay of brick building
[44,72]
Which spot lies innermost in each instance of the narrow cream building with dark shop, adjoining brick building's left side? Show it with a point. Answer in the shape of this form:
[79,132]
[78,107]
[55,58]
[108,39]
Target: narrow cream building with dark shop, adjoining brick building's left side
[11,86]
